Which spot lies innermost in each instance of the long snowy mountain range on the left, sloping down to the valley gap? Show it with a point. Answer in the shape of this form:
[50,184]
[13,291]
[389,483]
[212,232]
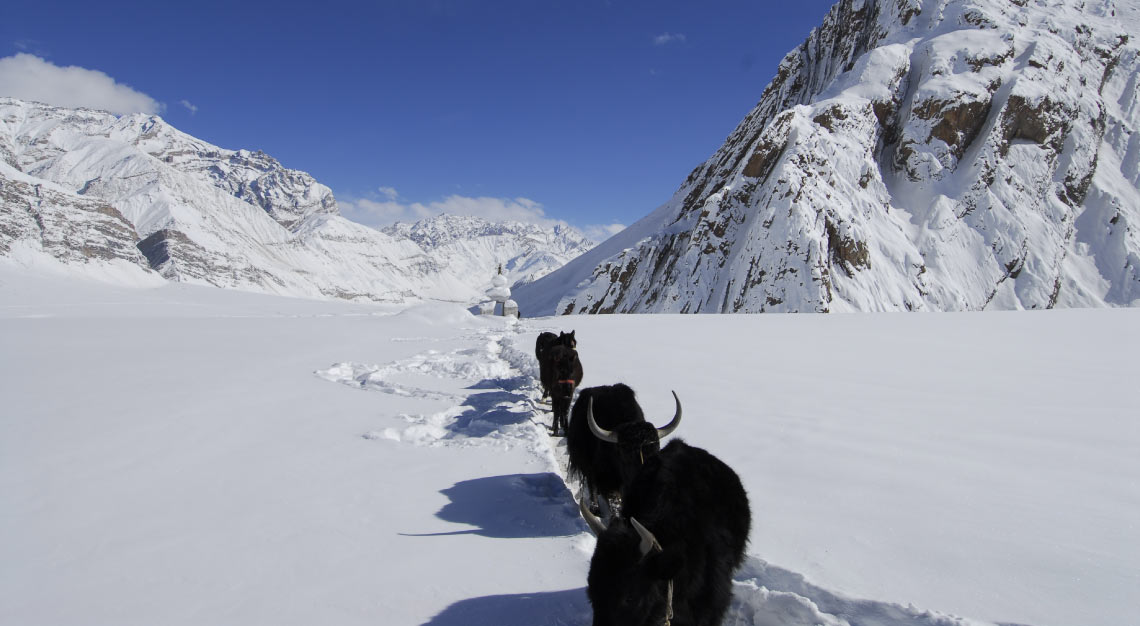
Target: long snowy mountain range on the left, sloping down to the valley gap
[124,198]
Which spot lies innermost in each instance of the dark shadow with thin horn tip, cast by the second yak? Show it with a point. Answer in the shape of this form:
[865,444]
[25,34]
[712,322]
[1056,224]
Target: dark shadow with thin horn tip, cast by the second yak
[510,508]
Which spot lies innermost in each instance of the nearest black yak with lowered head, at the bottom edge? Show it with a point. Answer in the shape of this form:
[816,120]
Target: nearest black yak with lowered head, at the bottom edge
[671,556]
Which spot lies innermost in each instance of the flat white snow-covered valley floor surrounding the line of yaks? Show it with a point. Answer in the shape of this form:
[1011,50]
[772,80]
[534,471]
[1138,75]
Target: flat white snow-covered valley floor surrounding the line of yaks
[185,456]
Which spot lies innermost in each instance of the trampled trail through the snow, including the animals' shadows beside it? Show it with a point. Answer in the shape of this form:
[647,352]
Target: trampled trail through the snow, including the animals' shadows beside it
[503,410]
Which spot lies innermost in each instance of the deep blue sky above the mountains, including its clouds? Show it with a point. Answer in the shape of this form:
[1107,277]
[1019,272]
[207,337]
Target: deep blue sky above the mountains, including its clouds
[590,112]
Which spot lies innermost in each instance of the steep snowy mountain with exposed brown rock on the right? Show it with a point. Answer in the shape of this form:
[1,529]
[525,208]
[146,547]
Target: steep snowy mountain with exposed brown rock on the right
[909,156]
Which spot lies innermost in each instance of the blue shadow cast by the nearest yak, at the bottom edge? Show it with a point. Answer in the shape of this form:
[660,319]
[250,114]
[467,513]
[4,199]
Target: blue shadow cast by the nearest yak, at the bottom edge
[520,609]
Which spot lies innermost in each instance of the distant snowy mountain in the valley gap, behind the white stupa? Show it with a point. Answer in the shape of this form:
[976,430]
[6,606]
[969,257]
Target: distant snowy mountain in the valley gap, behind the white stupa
[468,246]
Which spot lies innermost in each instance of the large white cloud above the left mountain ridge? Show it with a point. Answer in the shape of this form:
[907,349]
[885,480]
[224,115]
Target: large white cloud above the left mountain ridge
[30,78]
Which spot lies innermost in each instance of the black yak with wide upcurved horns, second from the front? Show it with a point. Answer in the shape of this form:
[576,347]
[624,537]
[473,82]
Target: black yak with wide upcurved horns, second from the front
[602,457]
